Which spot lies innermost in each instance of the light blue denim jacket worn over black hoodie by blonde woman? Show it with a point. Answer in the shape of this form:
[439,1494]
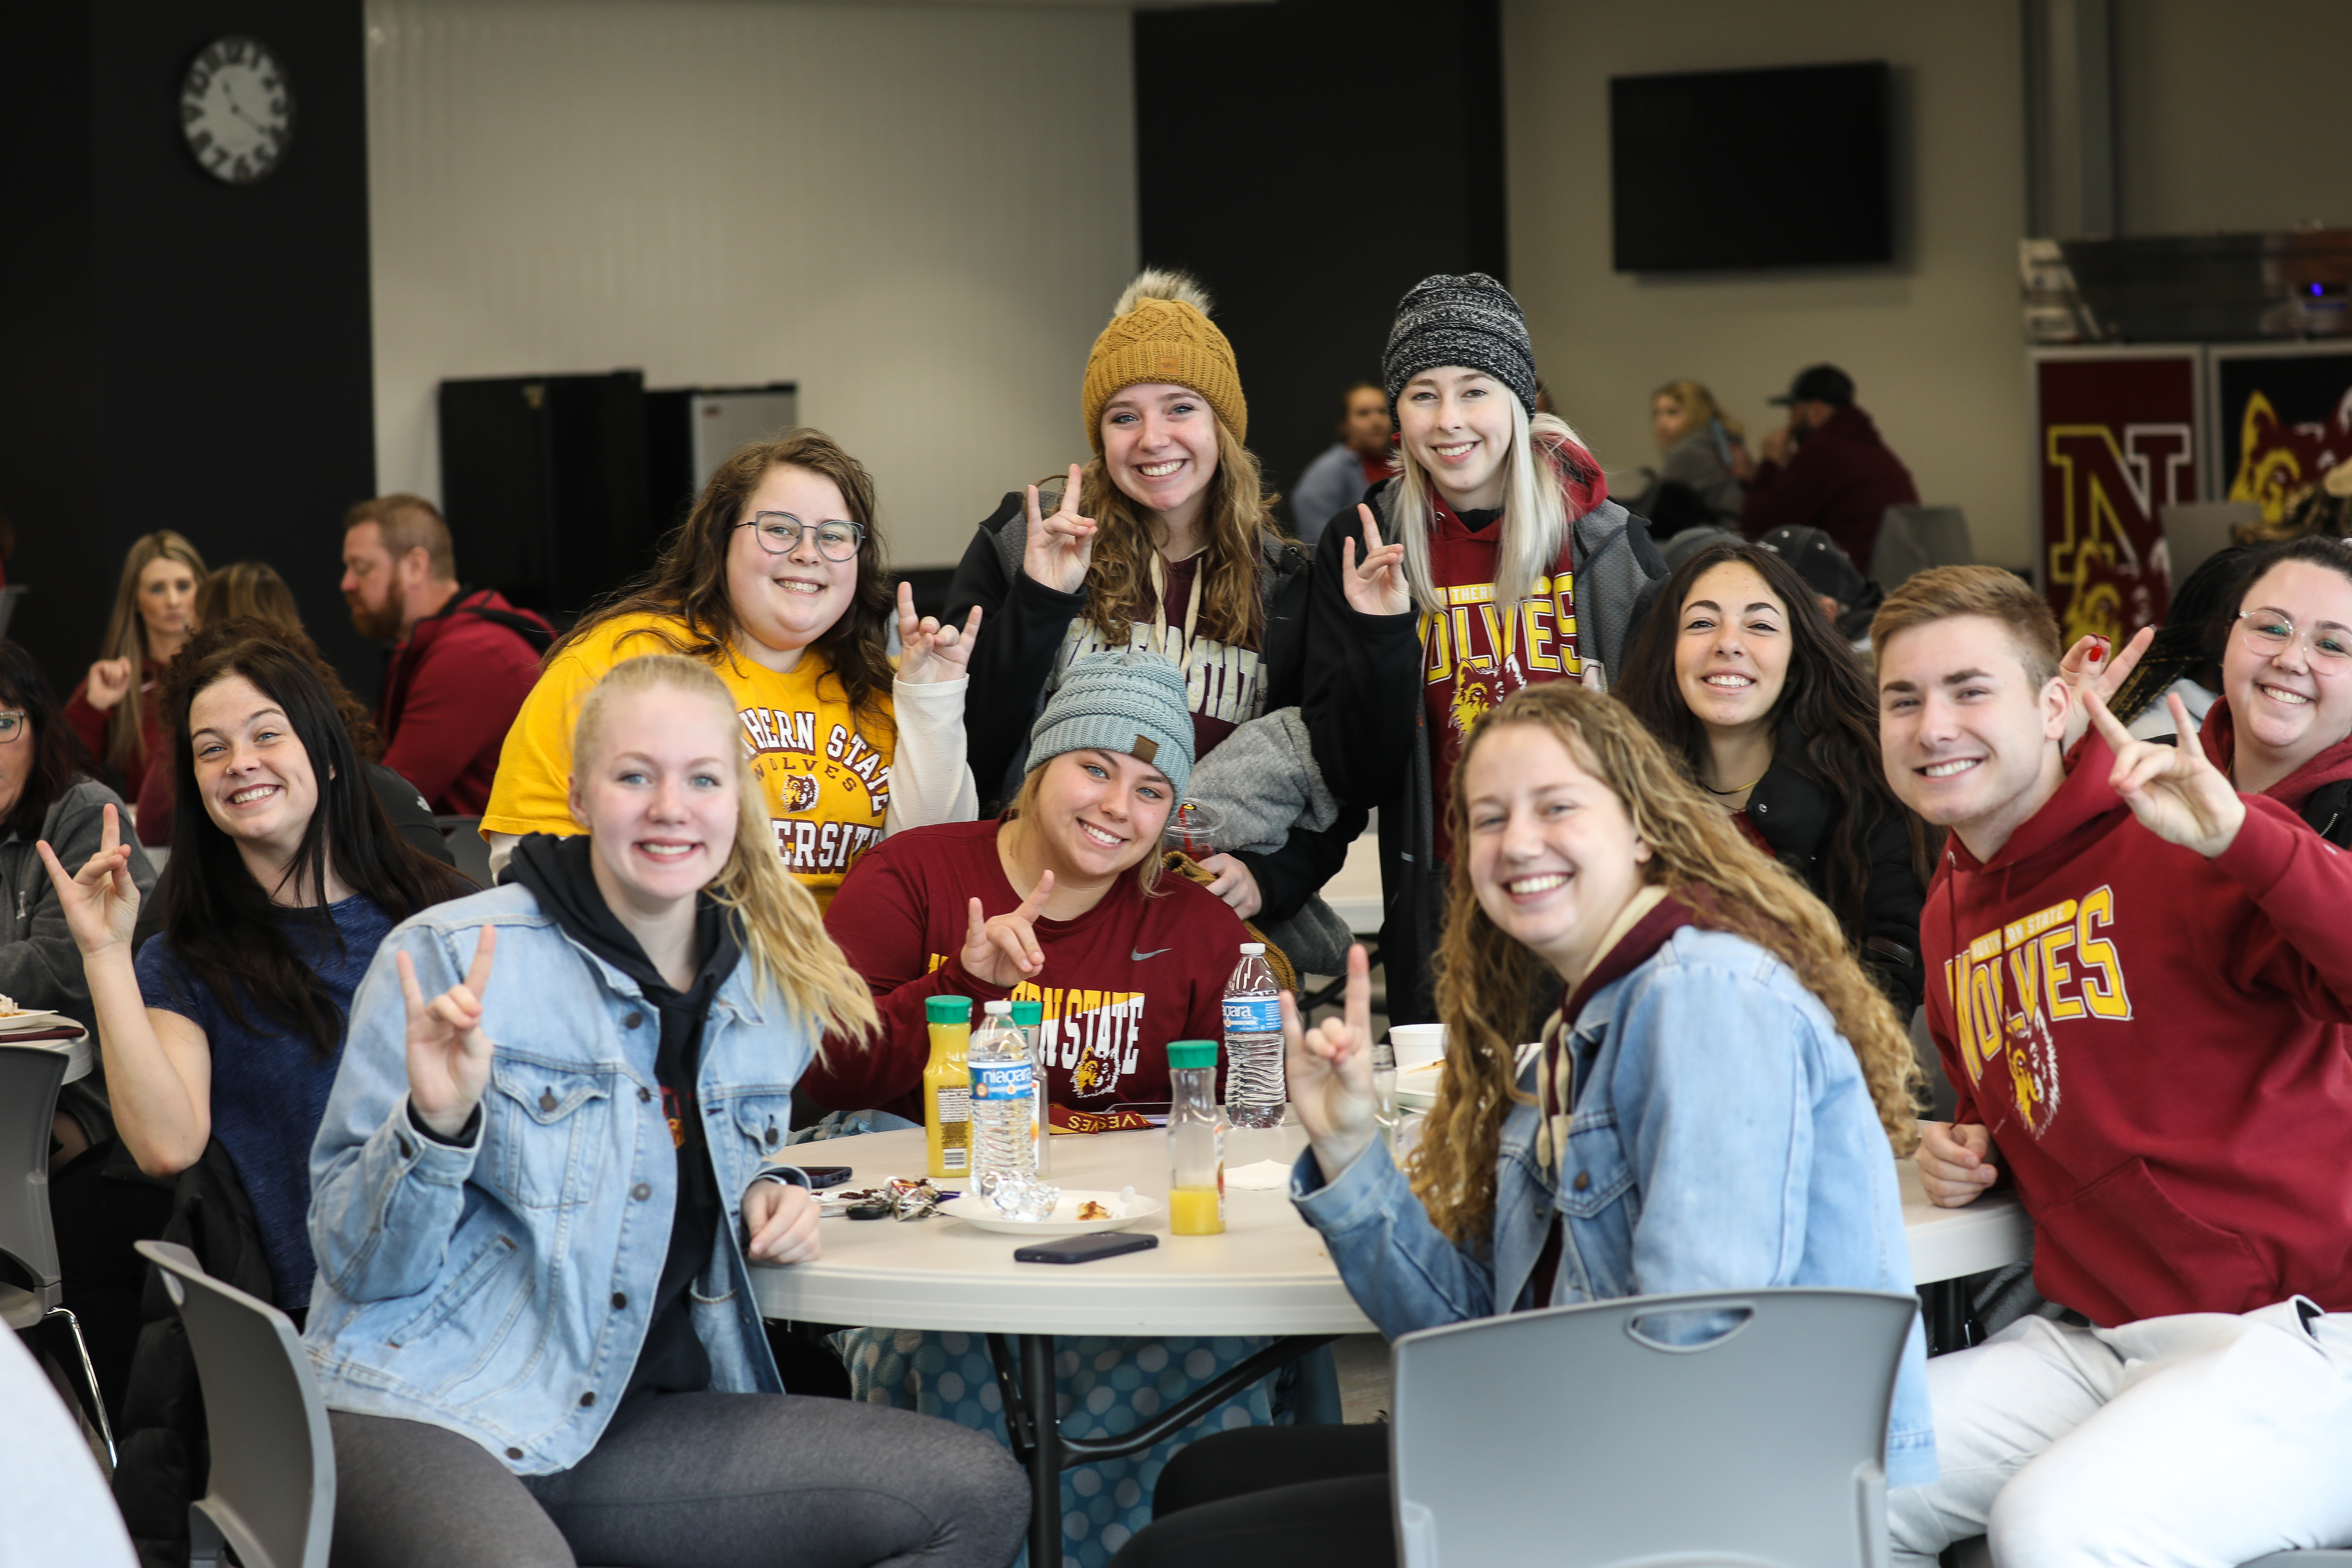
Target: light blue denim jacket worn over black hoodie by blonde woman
[505,1287]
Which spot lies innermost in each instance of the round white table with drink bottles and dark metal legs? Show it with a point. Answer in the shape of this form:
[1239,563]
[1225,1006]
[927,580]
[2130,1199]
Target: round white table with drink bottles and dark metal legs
[1269,1275]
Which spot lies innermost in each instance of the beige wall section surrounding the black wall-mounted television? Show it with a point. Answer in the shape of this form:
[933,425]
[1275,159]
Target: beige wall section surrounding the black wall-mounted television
[1935,342]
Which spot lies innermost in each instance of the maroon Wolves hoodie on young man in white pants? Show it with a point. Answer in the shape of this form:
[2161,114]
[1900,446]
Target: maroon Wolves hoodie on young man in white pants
[2156,1043]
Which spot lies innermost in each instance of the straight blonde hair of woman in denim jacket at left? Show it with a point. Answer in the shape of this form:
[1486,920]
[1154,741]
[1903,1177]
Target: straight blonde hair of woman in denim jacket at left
[784,937]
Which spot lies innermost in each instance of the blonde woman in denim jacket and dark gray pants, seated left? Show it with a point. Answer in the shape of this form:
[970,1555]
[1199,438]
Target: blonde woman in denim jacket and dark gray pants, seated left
[544,1174]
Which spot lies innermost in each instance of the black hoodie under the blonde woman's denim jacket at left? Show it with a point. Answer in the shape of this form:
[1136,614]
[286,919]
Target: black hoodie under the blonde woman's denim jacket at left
[563,880]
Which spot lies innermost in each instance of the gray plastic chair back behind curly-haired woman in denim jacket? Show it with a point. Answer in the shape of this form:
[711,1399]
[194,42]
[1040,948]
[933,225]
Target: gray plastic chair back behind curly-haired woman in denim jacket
[1760,1447]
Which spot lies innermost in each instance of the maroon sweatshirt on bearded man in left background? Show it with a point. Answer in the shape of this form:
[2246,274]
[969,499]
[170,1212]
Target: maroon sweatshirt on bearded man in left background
[450,697]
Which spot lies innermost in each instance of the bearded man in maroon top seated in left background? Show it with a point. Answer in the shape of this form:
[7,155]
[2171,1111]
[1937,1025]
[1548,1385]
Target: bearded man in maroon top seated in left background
[462,657]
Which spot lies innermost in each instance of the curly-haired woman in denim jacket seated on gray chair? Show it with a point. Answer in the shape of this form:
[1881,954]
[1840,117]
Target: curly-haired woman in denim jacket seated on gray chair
[1713,1108]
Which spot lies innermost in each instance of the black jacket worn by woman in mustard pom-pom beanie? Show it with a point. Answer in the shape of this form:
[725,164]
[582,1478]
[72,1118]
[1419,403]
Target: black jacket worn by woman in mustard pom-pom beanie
[1022,634]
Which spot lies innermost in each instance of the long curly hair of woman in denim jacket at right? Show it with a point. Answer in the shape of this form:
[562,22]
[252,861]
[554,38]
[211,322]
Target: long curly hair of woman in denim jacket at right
[1697,857]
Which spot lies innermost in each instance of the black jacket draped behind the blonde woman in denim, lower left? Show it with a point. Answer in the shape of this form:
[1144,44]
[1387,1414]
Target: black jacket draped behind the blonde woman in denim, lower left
[163,1459]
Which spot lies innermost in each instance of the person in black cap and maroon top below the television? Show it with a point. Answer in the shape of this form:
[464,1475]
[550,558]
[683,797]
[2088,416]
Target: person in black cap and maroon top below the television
[1826,469]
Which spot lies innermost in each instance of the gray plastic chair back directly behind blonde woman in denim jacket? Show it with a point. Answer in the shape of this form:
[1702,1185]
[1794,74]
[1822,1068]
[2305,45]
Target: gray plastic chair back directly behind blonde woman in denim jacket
[272,1492]
